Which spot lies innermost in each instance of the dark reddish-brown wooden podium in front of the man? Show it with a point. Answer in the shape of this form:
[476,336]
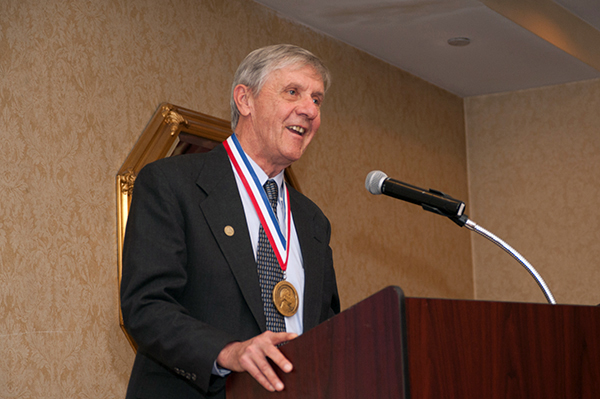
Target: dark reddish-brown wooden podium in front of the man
[391,347]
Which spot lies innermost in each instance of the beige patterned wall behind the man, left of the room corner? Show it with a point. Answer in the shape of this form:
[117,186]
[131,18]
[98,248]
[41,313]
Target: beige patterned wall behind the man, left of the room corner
[78,82]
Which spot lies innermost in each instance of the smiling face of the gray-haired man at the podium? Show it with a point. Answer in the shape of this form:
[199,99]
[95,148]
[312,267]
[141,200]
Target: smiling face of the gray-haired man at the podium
[286,114]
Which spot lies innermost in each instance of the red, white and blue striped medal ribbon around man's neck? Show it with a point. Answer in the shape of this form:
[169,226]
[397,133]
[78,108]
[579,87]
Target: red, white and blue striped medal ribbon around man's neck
[259,199]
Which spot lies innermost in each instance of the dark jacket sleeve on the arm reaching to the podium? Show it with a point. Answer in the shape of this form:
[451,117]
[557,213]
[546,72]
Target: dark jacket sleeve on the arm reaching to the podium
[154,279]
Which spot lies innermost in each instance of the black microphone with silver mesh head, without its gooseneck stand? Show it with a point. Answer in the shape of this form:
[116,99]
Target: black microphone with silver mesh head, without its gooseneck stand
[434,201]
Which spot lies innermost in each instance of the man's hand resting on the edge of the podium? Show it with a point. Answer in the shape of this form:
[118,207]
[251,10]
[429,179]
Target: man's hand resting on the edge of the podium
[251,356]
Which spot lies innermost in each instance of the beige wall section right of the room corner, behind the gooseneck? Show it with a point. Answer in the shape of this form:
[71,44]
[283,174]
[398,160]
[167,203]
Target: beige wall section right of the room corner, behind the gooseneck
[534,171]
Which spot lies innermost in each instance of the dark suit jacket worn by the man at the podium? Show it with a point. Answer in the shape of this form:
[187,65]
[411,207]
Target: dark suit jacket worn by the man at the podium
[188,289]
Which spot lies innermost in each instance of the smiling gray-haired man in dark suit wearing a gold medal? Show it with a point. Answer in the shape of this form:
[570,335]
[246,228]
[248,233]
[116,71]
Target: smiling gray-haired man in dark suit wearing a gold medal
[211,236]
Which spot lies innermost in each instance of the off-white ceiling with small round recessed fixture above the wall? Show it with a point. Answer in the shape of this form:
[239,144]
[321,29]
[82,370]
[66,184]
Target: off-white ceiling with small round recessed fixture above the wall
[413,35]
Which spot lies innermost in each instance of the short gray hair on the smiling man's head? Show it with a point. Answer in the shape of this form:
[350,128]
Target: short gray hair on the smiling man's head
[254,71]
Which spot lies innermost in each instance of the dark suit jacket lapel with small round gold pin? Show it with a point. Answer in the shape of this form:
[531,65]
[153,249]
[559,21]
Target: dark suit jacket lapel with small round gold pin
[222,207]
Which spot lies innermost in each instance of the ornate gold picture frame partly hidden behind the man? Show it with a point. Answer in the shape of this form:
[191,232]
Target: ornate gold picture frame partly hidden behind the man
[172,131]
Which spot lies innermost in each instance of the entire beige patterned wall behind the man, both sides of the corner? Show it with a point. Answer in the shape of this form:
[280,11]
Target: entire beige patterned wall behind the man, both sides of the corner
[80,79]
